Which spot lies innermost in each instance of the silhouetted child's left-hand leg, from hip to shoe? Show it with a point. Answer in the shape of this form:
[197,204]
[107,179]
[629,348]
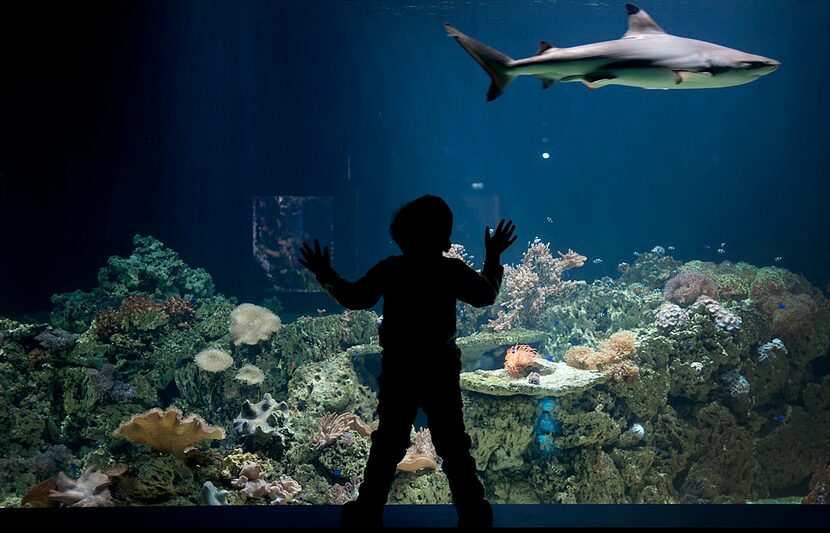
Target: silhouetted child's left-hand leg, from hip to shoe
[397,408]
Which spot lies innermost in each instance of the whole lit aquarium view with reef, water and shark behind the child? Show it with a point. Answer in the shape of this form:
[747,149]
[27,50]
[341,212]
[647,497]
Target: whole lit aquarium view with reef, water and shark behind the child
[662,330]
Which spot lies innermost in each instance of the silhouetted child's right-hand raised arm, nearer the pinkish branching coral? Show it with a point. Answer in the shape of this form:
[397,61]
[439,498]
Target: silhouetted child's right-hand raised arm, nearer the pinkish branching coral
[480,290]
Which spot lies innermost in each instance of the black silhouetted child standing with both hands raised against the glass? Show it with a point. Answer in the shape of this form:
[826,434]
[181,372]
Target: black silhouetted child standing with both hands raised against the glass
[421,362]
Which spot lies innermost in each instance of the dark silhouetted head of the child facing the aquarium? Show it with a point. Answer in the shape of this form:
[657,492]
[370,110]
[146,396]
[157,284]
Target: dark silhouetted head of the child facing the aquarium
[423,226]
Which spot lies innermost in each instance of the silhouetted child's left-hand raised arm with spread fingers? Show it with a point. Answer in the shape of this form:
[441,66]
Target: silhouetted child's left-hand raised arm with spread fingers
[362,294]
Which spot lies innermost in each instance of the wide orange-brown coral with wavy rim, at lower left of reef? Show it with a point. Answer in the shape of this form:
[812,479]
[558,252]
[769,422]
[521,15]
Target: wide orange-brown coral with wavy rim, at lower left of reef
[166,431]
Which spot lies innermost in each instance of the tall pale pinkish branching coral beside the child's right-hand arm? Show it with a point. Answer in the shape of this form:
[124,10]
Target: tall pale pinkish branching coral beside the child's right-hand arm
[530,285]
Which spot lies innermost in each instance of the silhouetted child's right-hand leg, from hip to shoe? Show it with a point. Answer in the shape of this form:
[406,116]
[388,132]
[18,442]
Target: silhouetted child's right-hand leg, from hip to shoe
[444,409]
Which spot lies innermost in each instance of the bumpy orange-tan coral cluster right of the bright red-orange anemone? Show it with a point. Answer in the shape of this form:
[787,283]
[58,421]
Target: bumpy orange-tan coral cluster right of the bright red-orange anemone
[615,357]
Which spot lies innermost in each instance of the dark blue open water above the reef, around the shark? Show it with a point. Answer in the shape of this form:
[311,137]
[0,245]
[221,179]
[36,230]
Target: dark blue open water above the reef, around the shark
[164,118]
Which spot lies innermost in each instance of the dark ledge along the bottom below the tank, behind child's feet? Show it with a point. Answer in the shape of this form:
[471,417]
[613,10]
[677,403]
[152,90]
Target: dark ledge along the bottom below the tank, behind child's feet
[778,516]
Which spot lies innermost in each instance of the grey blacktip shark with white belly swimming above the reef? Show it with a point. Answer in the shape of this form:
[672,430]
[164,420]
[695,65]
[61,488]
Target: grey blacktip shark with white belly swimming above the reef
[645,57]
